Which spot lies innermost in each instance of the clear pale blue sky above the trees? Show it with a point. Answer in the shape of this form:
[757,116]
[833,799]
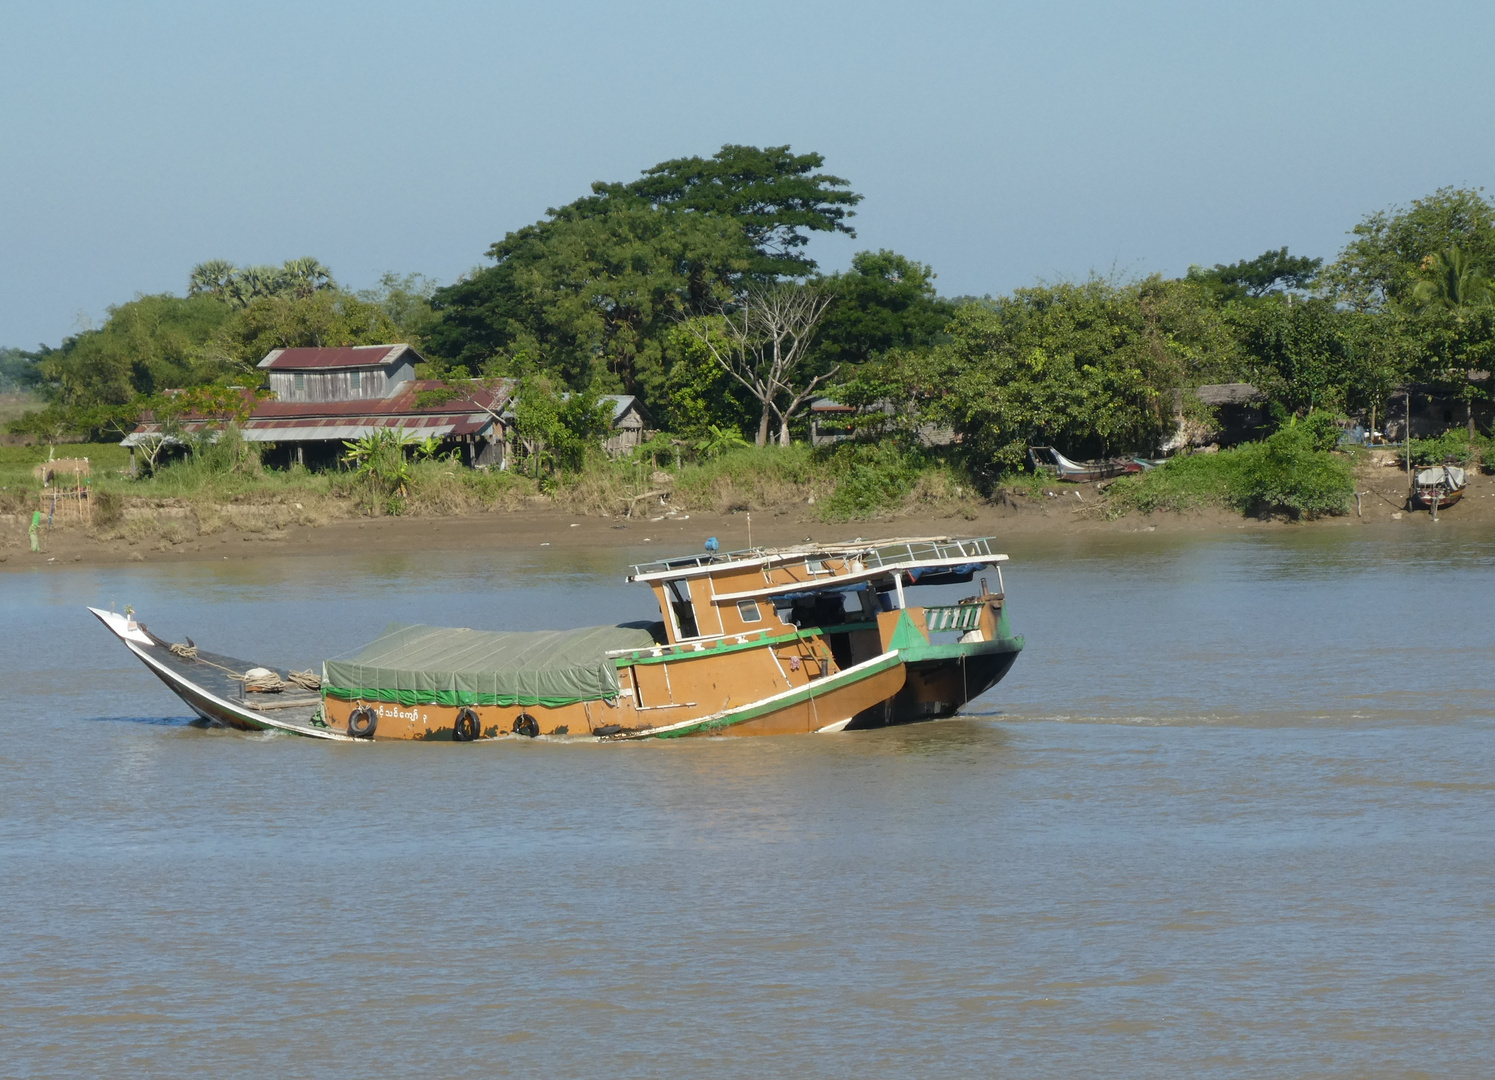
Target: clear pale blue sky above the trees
[999,143]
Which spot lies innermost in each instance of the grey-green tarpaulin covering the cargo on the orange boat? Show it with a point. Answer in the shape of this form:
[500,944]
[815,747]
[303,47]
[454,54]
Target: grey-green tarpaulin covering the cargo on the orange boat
[439,666]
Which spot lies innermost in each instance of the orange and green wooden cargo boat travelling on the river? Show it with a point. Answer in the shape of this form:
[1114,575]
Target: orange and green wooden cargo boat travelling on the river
[813,638]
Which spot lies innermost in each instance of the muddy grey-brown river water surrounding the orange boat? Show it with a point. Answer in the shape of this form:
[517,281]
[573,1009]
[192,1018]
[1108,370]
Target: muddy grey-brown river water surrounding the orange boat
[1231,816]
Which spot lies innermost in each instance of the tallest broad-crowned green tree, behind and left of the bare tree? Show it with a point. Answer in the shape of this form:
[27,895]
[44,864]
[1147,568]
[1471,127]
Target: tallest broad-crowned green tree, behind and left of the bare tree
[593,291]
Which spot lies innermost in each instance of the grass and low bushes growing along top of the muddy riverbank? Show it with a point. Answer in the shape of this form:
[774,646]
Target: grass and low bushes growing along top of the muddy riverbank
[226,487]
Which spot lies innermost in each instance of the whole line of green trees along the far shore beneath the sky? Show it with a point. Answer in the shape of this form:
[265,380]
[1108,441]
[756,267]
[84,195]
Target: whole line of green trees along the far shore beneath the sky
[691,288]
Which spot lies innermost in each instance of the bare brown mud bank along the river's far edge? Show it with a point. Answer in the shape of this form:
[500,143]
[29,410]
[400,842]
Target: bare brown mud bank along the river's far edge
[180,532]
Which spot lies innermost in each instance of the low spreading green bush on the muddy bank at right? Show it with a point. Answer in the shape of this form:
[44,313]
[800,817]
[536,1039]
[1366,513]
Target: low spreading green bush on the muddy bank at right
[1286,473]
